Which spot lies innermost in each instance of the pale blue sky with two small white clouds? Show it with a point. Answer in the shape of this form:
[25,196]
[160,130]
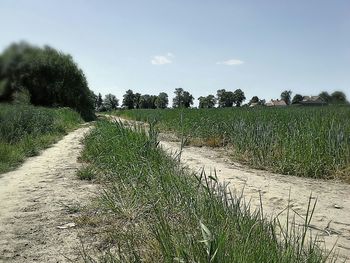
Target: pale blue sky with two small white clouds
[262,47]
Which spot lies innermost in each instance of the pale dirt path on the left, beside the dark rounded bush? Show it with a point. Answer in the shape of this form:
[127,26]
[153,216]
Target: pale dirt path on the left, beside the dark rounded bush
[37,198]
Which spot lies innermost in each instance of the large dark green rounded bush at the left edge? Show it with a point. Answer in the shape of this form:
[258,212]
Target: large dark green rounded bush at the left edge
[51,77]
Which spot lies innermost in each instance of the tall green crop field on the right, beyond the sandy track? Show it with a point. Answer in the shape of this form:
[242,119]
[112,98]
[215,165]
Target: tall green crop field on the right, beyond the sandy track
[310,142]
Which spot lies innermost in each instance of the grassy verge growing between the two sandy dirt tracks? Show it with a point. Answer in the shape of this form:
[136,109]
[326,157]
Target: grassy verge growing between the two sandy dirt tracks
[152,210]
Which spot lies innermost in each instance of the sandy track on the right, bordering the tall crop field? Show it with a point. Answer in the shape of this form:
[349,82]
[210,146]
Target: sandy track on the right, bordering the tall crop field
[332,215]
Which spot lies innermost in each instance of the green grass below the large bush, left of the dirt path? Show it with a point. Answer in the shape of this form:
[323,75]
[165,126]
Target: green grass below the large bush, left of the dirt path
[25,130]
